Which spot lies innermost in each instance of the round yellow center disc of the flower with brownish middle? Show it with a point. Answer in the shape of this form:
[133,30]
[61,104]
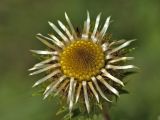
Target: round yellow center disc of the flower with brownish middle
[82,59]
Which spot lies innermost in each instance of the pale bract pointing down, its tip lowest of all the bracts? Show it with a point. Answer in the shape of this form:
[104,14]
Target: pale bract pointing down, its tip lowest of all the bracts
[84,84]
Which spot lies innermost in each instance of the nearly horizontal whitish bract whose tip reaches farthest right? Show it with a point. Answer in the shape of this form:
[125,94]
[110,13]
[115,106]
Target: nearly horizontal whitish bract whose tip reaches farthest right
[120,67]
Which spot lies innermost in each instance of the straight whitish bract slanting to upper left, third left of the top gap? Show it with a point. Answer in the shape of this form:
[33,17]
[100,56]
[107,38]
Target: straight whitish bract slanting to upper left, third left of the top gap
[59,32]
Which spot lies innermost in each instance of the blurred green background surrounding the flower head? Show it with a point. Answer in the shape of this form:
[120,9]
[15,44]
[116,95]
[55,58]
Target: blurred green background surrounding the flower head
[20,20]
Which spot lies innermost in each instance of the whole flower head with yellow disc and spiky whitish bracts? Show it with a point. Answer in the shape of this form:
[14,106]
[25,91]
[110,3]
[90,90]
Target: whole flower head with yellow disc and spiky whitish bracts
[82,65]
